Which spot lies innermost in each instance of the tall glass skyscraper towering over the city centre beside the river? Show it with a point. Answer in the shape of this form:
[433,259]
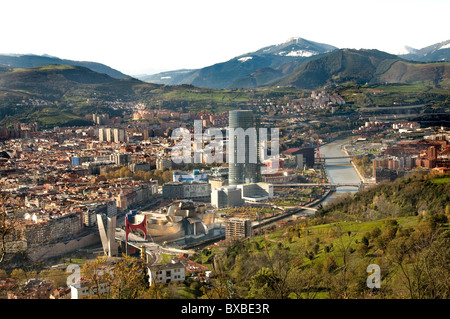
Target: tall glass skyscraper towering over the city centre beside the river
[243,153]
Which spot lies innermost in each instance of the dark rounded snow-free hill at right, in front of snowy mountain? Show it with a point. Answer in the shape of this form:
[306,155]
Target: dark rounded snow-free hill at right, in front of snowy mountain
[365,66]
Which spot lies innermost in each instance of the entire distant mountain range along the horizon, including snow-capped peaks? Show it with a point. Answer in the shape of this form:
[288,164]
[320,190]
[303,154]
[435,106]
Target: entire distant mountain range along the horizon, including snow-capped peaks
[296,62]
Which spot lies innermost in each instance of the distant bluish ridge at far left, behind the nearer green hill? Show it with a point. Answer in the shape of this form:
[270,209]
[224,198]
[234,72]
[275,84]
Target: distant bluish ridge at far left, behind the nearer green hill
[32,61]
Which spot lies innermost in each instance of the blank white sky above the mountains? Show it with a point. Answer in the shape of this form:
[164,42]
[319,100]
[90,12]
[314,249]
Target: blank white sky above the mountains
[137,36]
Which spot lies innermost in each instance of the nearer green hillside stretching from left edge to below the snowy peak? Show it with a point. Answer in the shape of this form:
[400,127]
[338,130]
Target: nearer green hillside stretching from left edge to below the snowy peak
[65,95]
